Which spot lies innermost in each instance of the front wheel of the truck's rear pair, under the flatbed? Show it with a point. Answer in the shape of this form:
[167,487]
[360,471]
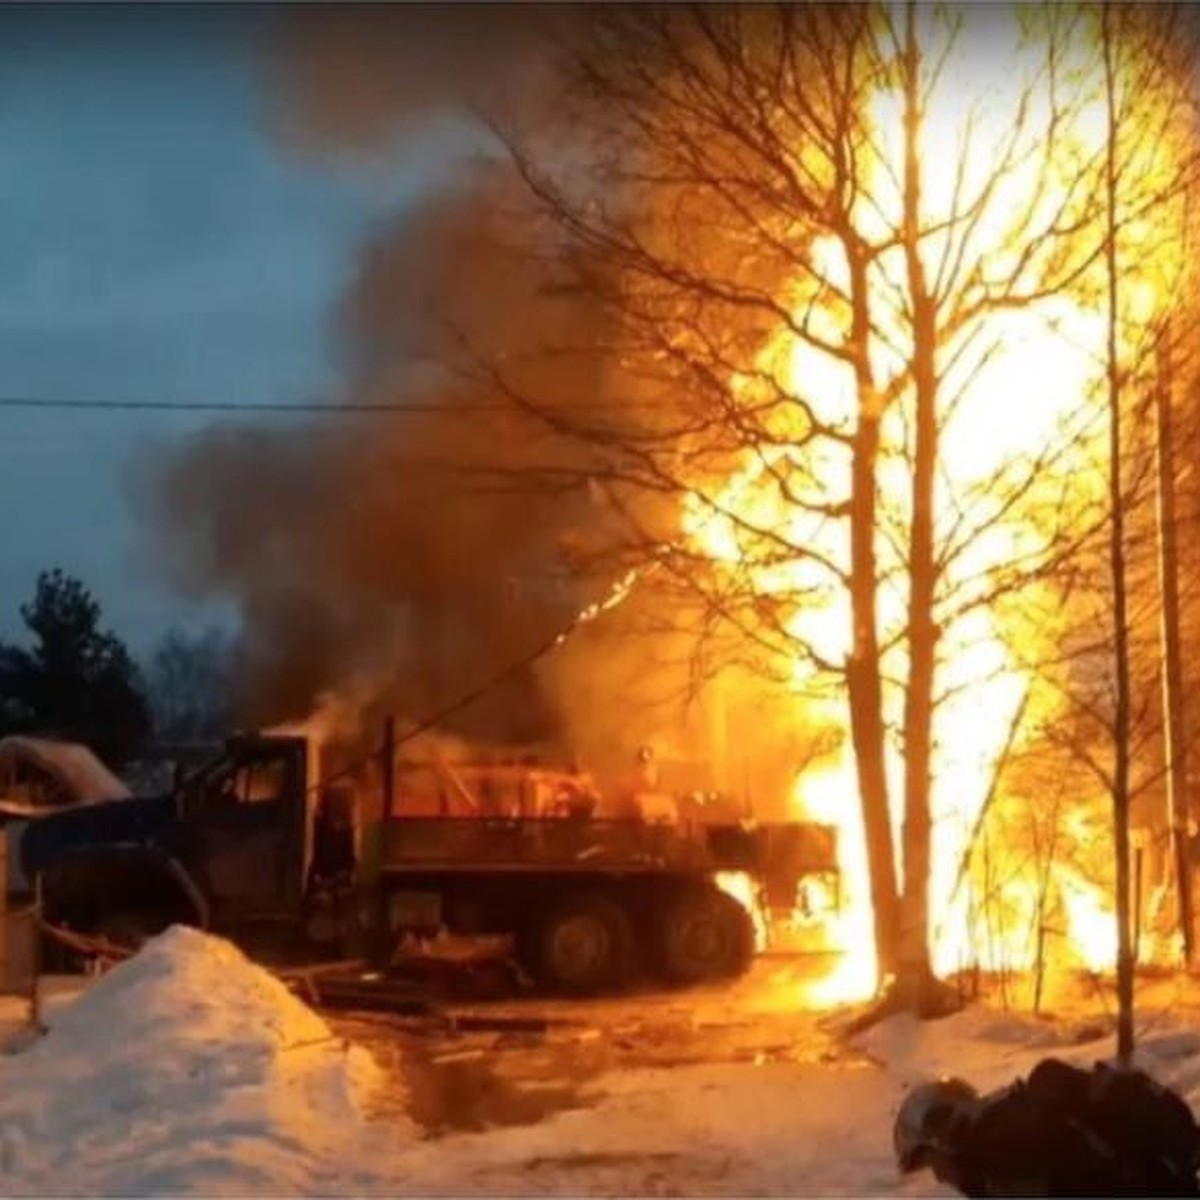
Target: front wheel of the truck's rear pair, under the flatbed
[584,945]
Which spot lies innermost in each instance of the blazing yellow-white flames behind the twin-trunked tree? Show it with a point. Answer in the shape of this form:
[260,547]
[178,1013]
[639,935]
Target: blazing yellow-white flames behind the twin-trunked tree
[1027,379]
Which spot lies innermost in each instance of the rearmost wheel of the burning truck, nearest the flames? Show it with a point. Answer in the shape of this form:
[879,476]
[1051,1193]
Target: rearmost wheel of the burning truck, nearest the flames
[705,935]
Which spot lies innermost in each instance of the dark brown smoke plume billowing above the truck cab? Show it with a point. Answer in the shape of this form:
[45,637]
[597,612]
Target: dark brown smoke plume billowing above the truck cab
[411,548]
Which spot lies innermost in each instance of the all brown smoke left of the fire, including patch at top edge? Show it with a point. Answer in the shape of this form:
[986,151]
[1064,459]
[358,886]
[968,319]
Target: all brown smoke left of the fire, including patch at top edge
[403,560]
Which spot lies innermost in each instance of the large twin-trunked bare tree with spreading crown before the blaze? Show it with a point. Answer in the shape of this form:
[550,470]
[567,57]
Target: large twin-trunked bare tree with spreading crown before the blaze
[802,236]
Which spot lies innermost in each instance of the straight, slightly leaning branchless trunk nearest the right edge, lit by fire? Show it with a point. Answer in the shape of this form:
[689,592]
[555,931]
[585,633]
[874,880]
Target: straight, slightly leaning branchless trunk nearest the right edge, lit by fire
[1173,657]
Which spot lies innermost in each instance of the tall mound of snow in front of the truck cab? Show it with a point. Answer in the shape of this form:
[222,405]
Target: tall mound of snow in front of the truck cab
[187,1070]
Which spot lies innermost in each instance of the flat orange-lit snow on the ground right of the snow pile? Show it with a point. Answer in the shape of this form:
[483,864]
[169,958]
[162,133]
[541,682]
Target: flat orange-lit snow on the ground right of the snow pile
[777,1129]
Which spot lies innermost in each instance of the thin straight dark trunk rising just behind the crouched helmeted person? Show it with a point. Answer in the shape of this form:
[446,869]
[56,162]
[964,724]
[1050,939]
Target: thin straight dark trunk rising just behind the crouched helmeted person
[1118,561]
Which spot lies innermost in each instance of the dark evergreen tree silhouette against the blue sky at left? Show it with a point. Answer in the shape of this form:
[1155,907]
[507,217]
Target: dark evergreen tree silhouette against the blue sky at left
[77,681]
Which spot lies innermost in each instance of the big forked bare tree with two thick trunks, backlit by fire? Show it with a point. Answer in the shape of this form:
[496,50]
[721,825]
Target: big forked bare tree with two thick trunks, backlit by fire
[695,119]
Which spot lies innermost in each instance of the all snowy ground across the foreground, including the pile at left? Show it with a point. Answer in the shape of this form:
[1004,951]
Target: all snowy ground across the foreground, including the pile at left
[191,1071]
